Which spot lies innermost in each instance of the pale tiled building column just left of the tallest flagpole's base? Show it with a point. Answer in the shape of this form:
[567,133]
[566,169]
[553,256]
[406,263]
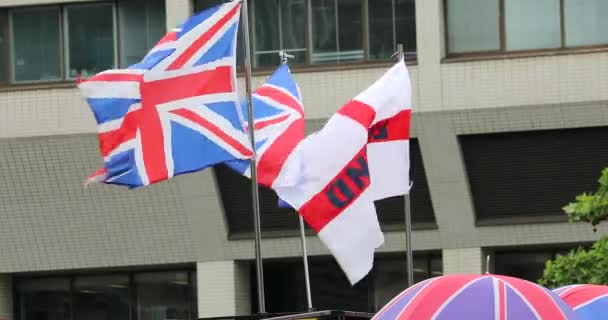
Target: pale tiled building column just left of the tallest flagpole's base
[223,288]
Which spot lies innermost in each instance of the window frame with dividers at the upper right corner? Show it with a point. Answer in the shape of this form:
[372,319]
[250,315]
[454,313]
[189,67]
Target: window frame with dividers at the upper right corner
[502,37]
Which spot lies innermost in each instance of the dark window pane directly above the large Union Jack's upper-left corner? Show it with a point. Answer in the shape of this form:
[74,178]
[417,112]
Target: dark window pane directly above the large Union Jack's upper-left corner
[90,39]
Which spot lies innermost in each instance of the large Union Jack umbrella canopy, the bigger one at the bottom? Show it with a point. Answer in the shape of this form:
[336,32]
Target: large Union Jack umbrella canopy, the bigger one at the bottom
[474,296]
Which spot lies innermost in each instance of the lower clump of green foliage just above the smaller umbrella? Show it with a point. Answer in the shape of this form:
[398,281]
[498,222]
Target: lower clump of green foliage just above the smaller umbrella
[578,266]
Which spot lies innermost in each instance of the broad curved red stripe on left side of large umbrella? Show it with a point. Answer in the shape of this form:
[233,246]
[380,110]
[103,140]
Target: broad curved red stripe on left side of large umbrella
[424,307]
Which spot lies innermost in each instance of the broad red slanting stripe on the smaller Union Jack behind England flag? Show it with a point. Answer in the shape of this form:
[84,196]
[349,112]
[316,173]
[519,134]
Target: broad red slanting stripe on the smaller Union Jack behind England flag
[272,160]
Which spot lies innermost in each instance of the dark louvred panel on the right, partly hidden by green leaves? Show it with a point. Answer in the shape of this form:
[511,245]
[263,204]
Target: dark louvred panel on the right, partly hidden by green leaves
[533,173]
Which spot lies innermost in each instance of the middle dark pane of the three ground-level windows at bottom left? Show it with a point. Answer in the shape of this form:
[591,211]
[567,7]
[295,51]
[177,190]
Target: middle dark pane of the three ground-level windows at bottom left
[102,298]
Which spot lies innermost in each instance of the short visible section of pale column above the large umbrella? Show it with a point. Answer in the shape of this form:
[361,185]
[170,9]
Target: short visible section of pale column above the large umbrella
[463,260]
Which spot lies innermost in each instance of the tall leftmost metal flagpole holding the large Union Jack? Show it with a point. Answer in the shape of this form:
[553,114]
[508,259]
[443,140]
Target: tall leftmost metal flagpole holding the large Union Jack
[254,170]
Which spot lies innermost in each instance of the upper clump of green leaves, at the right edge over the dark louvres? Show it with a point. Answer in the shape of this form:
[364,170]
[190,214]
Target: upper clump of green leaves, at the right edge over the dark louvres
[591,208]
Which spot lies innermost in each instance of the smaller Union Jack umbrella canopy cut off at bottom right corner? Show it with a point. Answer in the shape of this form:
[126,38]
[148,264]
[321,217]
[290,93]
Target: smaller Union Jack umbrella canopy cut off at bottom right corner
[589,301]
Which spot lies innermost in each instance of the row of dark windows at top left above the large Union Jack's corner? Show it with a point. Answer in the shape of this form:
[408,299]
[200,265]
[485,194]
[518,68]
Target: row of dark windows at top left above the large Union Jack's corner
[54,43]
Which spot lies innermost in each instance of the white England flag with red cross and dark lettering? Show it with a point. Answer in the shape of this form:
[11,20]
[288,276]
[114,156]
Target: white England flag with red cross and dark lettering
[340,173]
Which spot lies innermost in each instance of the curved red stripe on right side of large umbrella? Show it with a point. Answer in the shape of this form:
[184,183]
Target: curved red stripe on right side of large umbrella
[541,301]
